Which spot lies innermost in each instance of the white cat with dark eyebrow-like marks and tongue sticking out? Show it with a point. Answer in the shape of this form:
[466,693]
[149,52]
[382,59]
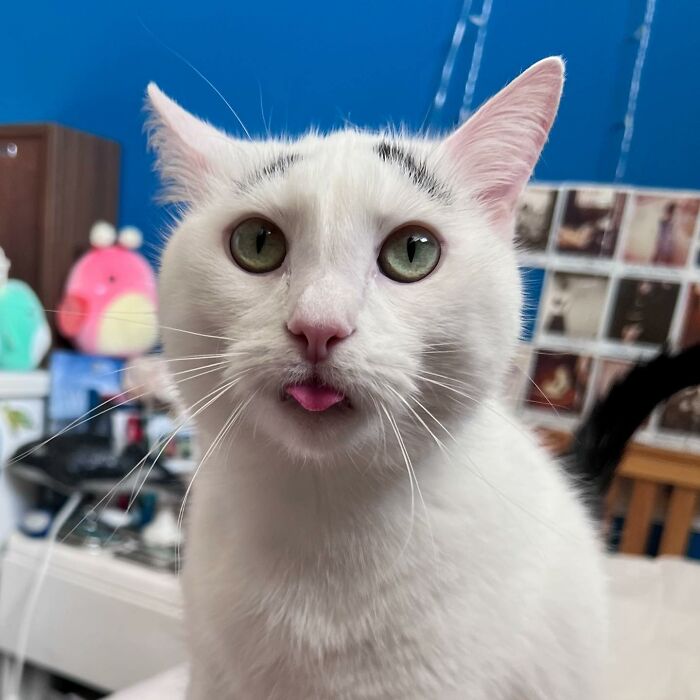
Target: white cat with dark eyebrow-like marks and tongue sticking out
[369,521]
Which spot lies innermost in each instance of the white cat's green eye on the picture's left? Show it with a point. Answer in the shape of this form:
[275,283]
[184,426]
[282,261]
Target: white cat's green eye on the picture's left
[258,245]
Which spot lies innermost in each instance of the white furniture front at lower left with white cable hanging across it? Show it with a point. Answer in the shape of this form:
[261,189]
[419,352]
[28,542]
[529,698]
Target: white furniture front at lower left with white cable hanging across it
[103,621]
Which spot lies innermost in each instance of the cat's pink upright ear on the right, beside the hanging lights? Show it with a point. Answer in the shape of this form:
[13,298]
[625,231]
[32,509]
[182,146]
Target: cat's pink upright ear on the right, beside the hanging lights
[495,150]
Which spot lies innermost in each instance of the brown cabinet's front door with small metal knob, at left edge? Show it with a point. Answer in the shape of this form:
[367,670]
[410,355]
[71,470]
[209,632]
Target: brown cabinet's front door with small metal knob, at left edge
[21,204]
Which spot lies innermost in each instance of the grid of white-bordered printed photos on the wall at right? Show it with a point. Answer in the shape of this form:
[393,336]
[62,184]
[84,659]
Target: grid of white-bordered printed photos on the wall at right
[610,275]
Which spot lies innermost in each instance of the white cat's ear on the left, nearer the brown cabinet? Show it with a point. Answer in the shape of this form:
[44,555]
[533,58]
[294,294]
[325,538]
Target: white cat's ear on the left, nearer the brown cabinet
[188,149]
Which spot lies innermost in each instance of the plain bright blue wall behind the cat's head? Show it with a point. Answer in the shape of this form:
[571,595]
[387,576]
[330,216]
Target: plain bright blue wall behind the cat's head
[86,64]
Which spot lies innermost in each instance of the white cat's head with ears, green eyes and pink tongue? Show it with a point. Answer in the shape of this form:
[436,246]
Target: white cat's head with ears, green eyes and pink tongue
[349,285]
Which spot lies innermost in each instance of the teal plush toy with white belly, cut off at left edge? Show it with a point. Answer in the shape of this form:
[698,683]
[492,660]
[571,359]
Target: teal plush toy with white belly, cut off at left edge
[24,332]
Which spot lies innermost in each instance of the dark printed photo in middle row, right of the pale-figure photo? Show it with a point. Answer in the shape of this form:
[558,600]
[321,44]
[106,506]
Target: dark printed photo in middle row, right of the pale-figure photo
[643,310]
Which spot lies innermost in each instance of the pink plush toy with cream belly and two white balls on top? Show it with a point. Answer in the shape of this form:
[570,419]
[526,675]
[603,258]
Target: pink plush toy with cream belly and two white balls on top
[109,303]
